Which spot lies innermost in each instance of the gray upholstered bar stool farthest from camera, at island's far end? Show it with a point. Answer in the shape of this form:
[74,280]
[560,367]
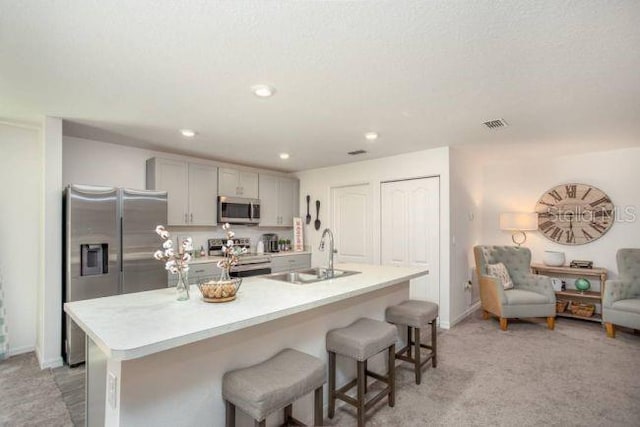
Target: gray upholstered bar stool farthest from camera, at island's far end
[416,315]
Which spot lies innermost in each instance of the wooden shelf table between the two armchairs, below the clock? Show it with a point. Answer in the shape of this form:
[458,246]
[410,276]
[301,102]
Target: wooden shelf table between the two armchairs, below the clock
[572,294]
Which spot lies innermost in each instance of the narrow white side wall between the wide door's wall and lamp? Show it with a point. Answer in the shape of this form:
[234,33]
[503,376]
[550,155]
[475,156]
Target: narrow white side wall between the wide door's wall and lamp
[466,227]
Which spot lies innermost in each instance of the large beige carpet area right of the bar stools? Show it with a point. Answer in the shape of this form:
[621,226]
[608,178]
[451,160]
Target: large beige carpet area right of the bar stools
[527,376]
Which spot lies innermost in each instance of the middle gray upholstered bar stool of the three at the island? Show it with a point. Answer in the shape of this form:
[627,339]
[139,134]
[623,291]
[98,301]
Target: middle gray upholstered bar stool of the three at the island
[360,341]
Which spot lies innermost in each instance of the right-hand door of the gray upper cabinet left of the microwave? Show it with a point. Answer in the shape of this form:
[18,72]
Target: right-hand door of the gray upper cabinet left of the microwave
[203,191]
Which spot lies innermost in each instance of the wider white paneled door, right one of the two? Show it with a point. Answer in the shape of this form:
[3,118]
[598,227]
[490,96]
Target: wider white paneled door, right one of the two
[410,231]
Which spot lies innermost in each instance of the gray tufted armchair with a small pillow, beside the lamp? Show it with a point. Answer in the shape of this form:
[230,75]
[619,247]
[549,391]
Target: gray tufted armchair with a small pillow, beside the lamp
[531,296]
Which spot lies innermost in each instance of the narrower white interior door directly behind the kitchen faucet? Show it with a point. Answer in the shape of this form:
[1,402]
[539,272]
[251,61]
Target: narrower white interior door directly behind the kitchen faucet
[351,212]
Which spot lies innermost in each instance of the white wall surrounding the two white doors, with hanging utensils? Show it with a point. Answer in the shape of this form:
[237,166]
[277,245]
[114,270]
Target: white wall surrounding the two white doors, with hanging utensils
[318,183]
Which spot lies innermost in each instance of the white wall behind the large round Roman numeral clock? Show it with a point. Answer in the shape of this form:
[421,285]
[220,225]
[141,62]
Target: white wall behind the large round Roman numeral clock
[517,186]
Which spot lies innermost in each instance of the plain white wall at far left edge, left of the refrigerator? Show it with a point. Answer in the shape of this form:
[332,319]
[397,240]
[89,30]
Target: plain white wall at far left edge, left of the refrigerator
[20,232]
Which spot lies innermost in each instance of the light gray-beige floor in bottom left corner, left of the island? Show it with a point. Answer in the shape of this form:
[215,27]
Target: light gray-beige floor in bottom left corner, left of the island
[29,396]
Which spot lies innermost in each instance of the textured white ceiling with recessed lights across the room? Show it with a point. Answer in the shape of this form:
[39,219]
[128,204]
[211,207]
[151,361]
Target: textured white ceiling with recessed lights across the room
[423,74]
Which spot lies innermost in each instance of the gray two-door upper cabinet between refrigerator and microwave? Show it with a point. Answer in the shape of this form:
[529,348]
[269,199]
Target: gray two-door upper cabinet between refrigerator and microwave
[191,190]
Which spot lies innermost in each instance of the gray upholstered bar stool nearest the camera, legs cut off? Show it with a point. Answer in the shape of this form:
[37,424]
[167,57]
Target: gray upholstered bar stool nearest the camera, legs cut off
[273,385]
